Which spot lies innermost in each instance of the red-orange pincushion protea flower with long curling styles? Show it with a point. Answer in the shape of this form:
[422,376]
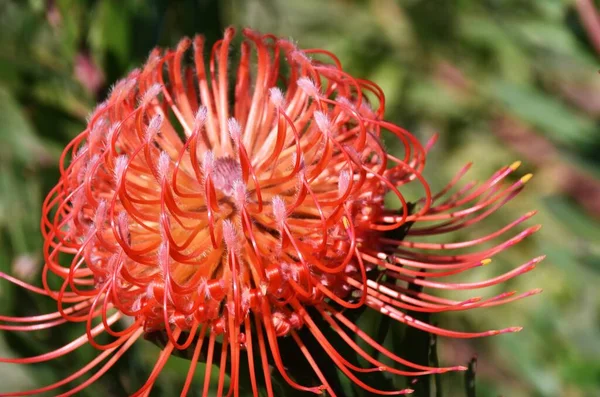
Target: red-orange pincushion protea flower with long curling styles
[227,216]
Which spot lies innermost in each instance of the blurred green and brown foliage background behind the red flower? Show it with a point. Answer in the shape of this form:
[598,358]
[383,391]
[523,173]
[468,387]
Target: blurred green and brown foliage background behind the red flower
[499,80]
